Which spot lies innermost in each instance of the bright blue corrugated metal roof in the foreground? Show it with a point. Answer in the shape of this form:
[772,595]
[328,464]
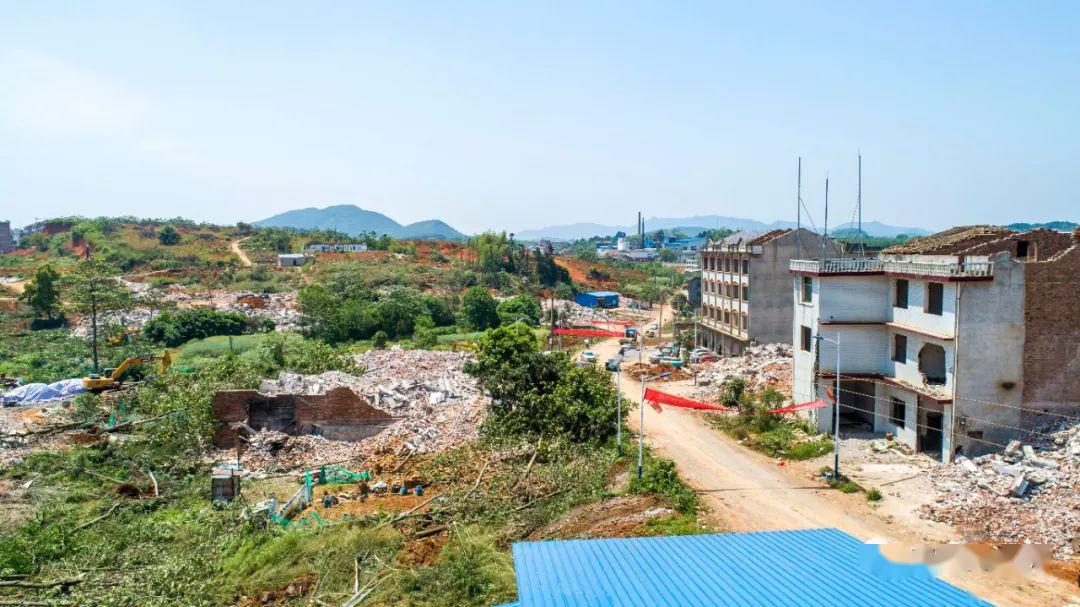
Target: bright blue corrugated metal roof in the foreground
[808,569]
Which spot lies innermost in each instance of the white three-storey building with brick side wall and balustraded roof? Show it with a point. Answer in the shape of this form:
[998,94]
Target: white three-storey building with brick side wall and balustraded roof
[955,342]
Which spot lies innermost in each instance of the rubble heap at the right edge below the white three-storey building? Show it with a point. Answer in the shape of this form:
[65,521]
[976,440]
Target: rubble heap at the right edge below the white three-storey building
[1025,494]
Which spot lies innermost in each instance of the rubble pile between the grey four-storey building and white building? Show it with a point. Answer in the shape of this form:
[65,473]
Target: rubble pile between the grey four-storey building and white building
[767,366]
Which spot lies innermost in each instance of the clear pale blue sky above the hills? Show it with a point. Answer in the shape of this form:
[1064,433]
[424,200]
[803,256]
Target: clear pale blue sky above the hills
[514,116]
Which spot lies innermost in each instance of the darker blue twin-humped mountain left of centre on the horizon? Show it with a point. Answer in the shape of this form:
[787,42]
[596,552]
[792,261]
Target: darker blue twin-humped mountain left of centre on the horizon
[353,220]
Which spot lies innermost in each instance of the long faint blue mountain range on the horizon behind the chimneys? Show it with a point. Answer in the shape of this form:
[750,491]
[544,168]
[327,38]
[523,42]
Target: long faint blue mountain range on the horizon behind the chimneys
[697,224]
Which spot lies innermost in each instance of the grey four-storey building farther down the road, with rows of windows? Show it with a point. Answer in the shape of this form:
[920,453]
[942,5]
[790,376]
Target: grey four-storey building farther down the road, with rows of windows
[746,287]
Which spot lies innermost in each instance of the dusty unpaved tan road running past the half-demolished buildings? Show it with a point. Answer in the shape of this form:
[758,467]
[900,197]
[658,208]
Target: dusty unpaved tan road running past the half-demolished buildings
[748,492]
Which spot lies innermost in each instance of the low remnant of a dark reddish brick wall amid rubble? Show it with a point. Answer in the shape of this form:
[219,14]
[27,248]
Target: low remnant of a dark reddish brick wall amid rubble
[339,415]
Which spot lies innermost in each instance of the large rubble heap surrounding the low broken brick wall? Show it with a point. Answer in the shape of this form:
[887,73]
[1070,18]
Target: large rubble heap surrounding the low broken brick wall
[436,404]
